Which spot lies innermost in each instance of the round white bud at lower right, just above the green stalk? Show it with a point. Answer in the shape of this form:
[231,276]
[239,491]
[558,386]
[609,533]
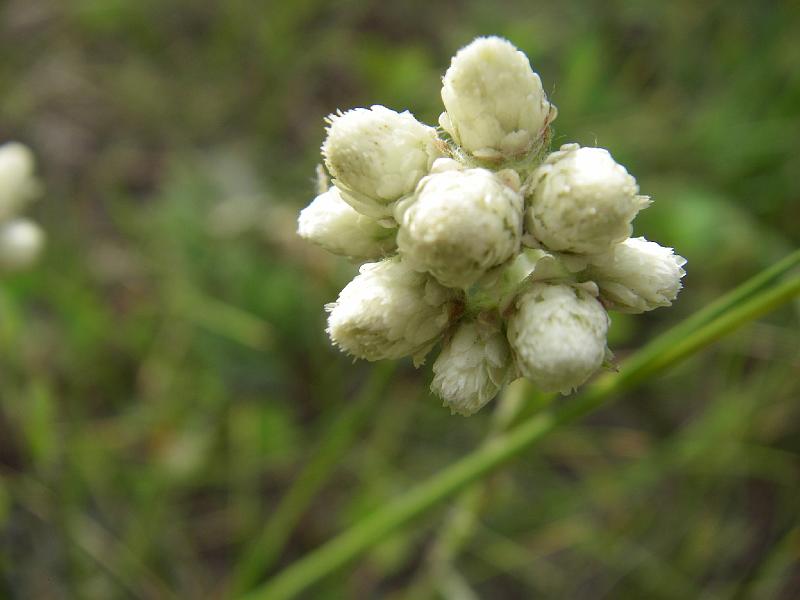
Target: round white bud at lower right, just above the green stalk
[558,335]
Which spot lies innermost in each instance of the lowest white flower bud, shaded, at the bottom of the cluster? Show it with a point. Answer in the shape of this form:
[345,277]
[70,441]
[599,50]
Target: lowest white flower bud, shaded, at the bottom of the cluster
[471,368]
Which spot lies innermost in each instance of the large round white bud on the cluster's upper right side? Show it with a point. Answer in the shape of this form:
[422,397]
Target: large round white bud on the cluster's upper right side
[582,201]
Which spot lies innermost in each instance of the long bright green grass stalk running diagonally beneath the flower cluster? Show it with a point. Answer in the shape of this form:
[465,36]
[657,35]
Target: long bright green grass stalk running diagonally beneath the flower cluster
[665,351]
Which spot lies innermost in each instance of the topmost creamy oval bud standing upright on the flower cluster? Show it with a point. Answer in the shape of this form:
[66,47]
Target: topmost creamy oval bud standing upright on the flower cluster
[496,107]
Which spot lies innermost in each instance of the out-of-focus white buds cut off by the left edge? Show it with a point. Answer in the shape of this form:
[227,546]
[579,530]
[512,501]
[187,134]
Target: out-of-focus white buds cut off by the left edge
[21,240]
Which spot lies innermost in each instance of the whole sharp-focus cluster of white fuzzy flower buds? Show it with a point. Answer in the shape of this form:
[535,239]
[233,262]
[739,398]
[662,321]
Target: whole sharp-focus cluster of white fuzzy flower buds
[478,239]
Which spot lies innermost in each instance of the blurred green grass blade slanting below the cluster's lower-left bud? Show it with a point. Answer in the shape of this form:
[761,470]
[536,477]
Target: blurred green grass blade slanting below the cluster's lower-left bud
[265,550]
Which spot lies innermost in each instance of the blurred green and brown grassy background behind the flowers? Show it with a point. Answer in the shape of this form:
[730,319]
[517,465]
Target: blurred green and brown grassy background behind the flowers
[165,376]
